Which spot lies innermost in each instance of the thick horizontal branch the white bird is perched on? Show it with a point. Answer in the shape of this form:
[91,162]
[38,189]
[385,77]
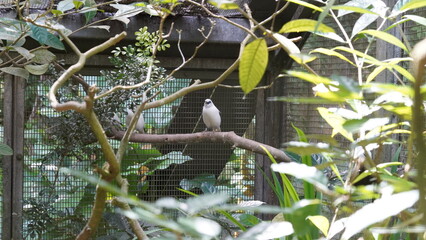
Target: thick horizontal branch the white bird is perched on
[229,138]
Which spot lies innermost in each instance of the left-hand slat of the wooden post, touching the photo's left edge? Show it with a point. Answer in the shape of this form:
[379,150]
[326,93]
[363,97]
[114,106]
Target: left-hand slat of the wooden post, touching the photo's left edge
[7,160]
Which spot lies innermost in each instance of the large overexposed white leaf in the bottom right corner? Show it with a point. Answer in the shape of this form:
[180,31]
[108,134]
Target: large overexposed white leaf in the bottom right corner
[378,211]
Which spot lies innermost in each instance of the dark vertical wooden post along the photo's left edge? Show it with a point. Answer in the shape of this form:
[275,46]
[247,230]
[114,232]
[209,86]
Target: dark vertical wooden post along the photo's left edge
[13,123]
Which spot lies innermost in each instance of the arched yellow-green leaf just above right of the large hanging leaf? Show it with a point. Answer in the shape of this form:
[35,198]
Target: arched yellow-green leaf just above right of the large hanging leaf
[304,25]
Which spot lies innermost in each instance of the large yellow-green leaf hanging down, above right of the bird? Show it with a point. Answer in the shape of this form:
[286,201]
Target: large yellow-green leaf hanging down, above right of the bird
[253,64]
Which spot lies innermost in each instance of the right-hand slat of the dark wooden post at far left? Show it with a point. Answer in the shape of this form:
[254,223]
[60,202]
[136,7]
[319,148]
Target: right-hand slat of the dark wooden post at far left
[18,157]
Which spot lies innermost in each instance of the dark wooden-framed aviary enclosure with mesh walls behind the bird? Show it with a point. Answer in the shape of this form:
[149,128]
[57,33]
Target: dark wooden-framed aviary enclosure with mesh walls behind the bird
[41,202]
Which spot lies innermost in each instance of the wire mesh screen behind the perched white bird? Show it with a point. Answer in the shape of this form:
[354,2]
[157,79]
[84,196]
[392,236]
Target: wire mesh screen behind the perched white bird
[56,205]
